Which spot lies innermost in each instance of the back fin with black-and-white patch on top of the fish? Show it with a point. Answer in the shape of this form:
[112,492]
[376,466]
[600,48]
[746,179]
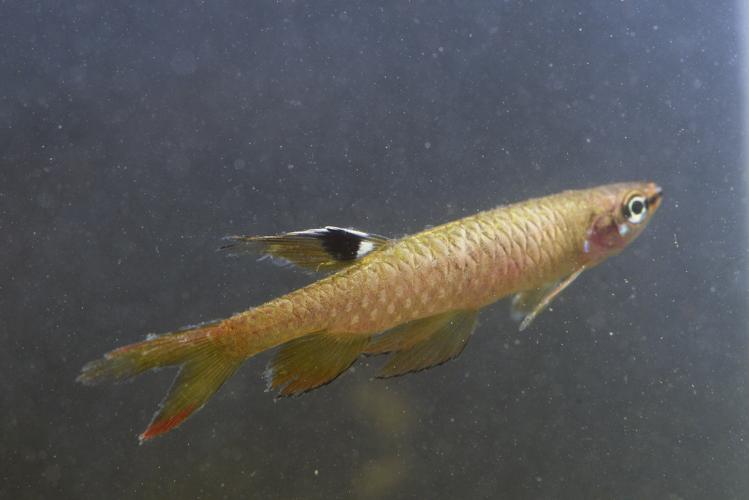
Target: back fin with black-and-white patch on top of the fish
[325,249]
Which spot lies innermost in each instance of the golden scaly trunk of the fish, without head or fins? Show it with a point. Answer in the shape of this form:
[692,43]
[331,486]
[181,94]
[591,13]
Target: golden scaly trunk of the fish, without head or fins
[464,264]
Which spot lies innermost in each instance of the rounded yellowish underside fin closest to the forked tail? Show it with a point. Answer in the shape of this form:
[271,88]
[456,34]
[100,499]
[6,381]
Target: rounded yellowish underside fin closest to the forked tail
[309,362]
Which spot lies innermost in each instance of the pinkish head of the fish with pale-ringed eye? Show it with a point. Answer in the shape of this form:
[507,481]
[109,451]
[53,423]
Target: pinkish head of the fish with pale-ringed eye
[618,214]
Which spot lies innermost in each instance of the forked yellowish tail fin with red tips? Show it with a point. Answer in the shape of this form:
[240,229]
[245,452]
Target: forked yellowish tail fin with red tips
[205,366]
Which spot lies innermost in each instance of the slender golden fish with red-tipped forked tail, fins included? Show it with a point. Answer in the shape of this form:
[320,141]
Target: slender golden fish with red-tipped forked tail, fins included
[414,299]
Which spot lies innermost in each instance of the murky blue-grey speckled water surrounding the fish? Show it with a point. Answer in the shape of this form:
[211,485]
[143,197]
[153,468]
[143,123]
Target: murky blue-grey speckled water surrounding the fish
[134,136]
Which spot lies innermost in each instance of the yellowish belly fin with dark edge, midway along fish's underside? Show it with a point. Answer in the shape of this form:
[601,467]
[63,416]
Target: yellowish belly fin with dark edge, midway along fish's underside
[424,343]
